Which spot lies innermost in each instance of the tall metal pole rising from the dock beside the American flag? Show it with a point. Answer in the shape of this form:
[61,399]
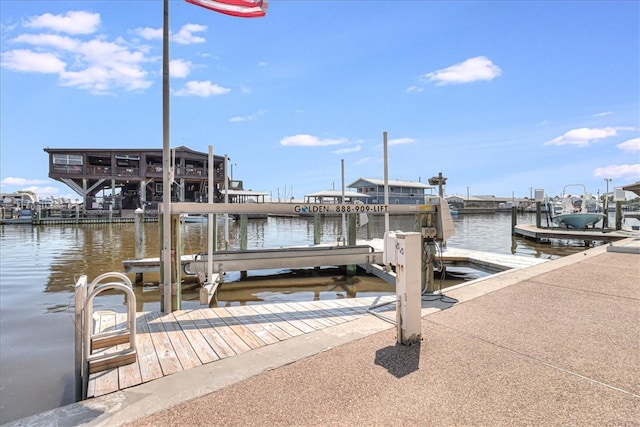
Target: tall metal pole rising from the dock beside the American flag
[166,159]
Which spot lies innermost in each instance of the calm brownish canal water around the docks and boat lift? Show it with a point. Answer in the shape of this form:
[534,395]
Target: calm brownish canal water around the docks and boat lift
[39,266]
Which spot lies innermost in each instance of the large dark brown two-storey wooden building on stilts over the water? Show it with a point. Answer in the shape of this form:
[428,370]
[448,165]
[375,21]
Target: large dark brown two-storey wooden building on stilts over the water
[126,178]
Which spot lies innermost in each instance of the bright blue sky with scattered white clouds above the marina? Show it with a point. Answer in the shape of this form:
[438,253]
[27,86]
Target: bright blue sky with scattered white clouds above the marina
[501,97]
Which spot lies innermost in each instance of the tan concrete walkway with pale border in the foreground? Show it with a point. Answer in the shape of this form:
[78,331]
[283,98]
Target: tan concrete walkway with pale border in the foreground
[553,344]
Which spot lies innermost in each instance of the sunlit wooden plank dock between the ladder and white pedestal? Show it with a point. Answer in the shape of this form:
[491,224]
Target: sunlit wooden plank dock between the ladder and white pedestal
[170,343]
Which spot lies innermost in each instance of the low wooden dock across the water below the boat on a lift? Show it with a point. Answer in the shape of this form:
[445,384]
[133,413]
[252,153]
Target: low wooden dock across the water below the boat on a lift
[532,232]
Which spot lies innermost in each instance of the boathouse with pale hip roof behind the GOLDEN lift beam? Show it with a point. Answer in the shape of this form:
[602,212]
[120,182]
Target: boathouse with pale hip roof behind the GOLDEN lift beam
[400,192]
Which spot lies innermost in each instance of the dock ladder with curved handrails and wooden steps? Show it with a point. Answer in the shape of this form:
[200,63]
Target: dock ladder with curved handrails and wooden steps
[95,350]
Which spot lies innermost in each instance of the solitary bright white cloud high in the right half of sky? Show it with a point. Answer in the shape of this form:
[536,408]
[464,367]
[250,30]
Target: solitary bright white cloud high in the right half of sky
[471,70]
